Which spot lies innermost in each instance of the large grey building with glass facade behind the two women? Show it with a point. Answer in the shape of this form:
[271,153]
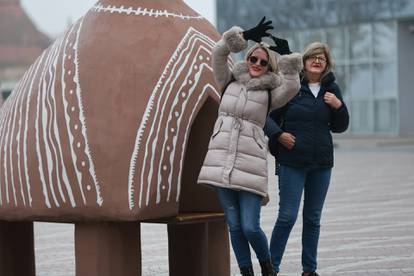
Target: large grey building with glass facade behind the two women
[372,42]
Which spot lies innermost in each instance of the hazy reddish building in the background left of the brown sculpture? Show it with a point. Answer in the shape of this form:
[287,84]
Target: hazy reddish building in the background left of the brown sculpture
[20,44]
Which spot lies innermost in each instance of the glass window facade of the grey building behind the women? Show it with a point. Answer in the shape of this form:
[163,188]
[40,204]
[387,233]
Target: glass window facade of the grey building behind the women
[366,70]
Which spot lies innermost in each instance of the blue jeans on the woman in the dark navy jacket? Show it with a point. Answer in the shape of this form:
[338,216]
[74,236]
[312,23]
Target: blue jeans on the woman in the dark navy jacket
[292,181]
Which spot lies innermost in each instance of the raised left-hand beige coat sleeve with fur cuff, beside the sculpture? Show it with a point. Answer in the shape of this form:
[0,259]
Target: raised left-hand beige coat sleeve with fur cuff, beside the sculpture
[231,41]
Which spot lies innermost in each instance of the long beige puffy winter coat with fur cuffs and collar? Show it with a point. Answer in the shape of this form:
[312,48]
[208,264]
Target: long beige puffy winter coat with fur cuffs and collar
[237,152]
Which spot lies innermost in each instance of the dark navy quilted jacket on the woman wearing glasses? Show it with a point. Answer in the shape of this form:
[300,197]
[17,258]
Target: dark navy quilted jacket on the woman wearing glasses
[311,121]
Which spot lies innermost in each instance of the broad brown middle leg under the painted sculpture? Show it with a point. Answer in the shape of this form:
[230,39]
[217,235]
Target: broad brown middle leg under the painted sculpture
[108,249]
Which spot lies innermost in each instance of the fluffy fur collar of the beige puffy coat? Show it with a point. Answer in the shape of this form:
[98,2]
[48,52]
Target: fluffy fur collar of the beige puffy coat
[267,81]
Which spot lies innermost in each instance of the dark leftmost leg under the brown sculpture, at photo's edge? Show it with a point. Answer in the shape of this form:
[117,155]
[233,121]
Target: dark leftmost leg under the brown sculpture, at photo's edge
[17,249]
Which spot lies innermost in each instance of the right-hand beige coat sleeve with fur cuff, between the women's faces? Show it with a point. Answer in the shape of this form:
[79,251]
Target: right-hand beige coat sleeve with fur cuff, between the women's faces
[290,66]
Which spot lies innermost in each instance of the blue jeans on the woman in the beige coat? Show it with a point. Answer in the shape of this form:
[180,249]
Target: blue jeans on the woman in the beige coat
[242,210]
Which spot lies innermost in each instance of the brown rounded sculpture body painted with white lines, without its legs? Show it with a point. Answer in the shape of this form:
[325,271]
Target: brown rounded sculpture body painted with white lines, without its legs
[112,121]
